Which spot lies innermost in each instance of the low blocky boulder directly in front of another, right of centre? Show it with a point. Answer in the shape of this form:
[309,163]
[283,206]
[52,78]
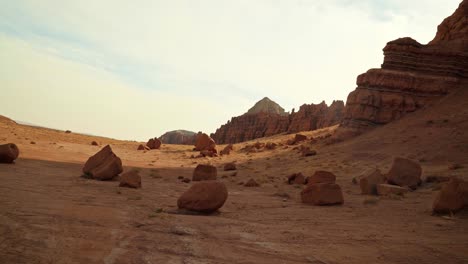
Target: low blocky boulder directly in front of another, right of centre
[322,194]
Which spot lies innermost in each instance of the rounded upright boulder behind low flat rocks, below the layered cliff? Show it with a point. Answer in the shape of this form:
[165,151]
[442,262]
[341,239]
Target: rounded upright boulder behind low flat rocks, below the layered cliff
[405,173]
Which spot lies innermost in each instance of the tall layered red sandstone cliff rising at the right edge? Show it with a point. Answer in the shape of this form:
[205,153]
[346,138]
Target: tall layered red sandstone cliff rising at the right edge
[412,75]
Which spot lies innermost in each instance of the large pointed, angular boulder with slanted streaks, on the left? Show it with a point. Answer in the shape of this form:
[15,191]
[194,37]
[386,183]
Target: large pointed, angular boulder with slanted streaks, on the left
[104,165]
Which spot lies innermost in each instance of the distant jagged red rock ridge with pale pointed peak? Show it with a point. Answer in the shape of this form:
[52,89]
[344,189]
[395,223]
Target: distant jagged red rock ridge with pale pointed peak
[267,118]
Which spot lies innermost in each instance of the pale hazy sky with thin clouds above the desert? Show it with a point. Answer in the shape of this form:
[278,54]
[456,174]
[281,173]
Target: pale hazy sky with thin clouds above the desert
[136,69]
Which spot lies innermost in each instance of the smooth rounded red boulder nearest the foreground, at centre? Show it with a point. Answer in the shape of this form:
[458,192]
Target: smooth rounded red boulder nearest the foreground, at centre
[205,197]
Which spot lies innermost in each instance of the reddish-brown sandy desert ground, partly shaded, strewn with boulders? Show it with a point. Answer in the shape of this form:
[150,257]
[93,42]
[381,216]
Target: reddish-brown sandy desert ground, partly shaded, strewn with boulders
[49,214]
